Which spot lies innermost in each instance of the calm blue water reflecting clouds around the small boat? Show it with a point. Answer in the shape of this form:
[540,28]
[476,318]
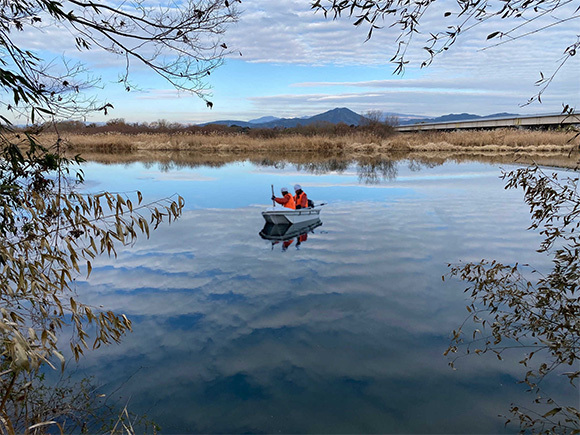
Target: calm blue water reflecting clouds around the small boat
[344,333]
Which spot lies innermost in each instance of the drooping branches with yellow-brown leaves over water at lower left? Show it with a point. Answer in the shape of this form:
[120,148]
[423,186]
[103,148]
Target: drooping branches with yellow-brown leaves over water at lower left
[49,233]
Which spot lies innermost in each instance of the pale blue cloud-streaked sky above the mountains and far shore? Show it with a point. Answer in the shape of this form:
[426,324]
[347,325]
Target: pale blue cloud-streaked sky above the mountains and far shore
[288,61]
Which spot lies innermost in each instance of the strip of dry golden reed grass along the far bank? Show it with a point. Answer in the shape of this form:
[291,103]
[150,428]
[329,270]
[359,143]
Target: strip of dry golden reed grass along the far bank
[355,144]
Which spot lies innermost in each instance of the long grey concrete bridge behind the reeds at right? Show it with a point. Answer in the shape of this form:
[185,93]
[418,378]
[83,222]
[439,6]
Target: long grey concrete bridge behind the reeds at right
[541,121]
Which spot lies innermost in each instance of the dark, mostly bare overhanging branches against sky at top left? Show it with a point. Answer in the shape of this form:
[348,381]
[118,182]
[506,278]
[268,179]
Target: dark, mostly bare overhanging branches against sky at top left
[181,42]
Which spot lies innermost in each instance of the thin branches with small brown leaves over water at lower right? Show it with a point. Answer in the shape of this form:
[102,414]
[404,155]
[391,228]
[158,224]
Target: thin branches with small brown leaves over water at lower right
[540,316]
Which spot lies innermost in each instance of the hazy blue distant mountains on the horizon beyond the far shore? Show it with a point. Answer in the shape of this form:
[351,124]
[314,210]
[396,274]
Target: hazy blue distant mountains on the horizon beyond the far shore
[347,116]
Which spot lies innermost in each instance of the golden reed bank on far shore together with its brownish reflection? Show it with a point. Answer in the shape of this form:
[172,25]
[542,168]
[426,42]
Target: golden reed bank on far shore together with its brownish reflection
[546,148]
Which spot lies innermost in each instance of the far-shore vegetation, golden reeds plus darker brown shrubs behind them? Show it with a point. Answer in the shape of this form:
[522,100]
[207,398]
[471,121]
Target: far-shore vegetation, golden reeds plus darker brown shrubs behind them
[374,139]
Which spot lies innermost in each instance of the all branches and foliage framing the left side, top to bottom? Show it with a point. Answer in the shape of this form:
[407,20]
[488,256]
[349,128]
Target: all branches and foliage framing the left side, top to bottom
[49,230]
